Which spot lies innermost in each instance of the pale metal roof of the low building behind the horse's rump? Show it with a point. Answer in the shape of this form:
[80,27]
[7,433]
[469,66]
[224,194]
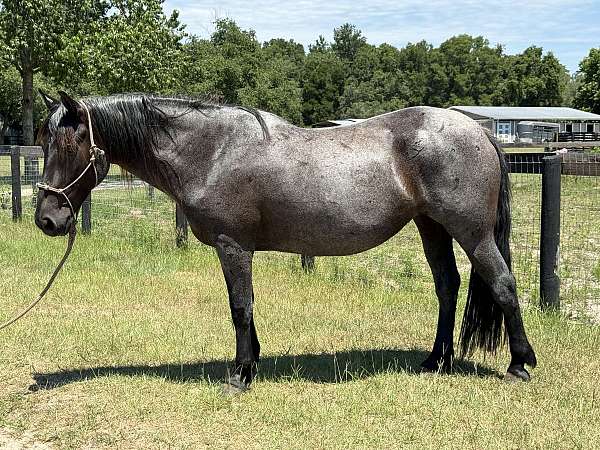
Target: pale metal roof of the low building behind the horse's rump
[527,112]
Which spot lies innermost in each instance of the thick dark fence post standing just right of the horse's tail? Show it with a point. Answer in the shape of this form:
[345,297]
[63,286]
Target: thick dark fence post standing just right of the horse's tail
[550,233]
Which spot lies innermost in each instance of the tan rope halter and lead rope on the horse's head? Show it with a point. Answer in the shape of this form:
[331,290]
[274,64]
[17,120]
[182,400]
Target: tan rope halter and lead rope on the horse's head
[72,230]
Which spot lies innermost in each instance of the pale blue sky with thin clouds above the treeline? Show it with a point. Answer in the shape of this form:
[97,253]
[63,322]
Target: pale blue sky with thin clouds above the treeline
[568,28]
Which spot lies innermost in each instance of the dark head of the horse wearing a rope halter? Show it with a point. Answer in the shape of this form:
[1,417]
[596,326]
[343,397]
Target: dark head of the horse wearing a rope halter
[73,165]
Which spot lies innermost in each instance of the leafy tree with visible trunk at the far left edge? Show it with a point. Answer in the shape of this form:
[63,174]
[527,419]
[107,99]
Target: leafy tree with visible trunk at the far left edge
[33,32]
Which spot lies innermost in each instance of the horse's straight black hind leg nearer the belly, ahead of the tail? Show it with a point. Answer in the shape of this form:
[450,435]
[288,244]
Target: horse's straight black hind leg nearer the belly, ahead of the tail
[437,244]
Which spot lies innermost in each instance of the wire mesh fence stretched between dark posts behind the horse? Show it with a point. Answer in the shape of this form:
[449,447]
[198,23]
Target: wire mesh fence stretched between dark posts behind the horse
[134,213]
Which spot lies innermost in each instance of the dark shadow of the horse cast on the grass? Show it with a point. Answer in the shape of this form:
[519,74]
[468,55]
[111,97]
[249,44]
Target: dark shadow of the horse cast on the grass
[319,368]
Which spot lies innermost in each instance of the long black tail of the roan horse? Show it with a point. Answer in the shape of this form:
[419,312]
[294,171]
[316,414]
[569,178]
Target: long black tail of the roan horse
[482,320]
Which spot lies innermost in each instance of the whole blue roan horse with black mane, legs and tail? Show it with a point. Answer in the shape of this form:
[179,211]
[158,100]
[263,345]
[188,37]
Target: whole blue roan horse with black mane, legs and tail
[250,181]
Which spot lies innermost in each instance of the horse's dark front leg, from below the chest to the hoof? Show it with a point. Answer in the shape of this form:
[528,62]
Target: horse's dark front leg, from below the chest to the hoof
[236,262]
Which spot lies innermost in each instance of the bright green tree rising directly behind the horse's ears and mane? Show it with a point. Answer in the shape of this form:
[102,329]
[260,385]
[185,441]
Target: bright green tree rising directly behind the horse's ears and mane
[135,47]
